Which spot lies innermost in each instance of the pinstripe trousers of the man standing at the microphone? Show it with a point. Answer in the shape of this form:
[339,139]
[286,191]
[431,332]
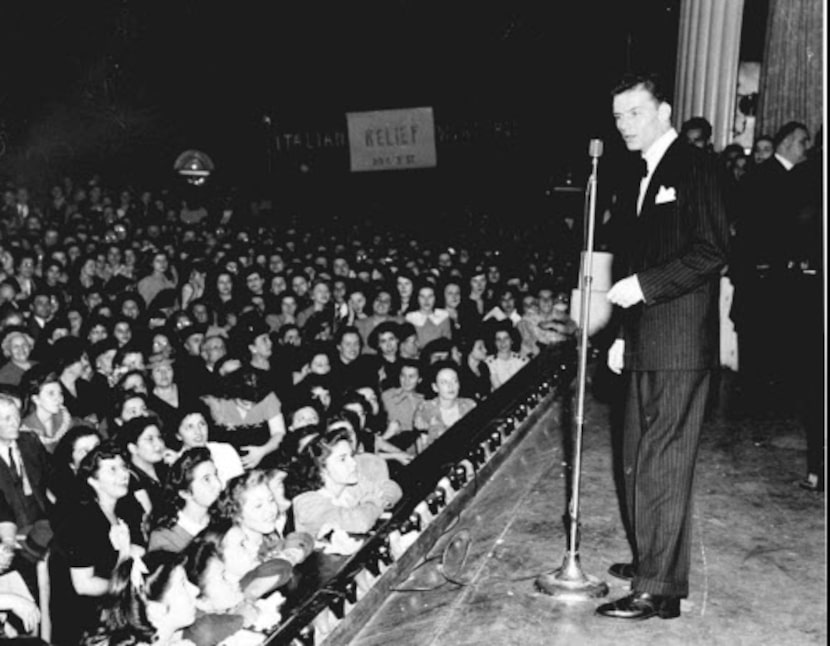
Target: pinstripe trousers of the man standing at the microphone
[663,419]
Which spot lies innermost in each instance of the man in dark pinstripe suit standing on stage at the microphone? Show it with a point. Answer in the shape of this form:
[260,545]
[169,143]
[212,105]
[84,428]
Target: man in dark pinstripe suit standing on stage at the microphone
[674,250]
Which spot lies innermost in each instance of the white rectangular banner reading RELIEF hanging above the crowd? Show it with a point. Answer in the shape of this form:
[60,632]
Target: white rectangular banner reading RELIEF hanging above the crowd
[392,139]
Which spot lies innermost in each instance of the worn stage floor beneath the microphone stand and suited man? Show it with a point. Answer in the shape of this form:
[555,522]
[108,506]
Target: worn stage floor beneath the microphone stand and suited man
[758,562]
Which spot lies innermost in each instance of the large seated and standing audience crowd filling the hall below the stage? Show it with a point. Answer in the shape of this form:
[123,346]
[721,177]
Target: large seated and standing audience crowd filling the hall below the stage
[192,400]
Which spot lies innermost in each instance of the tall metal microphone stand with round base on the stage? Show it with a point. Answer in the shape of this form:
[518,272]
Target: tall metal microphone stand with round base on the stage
[569,581]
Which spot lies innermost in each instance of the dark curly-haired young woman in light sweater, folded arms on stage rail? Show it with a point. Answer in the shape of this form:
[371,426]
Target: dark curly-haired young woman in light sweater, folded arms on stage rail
[334,494]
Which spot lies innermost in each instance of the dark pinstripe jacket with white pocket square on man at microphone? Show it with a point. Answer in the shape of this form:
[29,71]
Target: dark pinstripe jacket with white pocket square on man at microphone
[677,247]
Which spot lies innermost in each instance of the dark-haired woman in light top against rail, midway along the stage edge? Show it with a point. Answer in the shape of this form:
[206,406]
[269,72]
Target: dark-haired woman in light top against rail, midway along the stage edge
[434,416]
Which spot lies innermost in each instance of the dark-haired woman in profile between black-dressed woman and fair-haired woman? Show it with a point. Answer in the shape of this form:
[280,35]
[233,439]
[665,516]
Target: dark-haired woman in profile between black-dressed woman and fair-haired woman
[191,487]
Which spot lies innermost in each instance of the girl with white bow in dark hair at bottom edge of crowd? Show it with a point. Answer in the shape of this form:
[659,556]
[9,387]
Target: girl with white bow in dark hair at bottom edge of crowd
[154,610]
